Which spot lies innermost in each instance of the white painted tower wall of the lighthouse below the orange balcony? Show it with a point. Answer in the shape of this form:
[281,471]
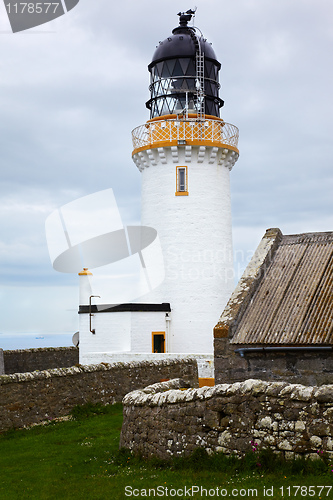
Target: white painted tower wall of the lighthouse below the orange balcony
[195,234]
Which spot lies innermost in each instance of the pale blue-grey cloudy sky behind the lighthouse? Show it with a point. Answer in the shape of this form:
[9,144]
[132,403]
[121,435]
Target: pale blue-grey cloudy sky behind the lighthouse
[72,90]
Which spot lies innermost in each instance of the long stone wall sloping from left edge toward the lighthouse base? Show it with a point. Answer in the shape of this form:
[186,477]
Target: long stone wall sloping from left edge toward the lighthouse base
[27,398]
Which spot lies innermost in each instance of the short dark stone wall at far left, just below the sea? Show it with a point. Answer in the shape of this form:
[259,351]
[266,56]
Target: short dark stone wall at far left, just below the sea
[29,360]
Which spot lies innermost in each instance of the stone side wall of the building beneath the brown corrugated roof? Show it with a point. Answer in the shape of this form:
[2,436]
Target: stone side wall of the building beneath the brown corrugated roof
[297,367]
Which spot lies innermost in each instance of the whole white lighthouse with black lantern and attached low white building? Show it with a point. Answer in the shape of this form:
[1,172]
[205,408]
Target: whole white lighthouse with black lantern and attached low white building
[184,152]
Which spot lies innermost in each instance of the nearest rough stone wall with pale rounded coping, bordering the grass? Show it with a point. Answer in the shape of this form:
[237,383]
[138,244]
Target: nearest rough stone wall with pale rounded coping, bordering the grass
[291,419]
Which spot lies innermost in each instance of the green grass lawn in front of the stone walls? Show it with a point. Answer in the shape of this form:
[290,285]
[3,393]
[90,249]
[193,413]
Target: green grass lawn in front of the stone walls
[79,459]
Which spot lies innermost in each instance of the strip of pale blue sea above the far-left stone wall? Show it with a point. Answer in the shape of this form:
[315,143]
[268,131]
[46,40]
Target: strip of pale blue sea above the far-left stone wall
[13,341]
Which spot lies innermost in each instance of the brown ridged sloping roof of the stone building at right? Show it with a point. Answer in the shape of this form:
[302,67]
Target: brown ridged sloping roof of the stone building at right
[286,294]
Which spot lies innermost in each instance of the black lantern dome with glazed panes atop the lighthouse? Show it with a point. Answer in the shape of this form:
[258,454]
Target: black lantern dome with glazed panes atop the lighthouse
[184,74]
